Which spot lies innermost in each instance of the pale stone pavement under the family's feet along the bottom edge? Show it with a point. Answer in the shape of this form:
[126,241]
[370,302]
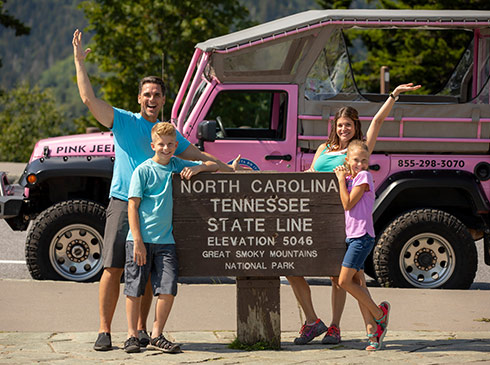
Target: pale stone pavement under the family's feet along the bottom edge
[407,347]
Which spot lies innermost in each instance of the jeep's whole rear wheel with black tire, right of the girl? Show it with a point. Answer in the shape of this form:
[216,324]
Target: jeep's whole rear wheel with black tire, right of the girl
[425,248]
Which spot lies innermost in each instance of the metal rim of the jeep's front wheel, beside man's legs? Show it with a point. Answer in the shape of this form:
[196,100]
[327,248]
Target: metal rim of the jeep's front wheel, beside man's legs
[75,252]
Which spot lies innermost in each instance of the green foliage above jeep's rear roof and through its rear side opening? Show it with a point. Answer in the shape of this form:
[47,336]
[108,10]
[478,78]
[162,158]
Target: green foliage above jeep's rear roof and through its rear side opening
[424,57]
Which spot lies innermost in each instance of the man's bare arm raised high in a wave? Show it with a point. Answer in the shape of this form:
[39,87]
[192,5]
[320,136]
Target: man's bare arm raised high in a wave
[101,111]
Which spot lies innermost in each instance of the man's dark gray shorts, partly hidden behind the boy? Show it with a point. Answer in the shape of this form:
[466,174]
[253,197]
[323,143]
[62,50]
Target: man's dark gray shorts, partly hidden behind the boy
[115,233]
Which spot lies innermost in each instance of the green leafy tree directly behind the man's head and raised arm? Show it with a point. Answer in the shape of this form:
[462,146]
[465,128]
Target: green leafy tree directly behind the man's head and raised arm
[132,38]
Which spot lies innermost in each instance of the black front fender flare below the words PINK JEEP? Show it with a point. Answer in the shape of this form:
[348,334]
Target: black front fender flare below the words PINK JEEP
[50,167]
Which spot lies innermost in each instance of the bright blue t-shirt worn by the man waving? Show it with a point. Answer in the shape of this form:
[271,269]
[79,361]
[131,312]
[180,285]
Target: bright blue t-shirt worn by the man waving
[132,138]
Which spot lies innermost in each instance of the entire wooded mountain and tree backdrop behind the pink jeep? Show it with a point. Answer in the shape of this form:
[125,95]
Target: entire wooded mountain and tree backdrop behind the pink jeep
[38,93]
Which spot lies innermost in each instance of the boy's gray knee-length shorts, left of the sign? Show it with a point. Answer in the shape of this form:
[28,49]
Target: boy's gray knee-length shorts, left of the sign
[161,263]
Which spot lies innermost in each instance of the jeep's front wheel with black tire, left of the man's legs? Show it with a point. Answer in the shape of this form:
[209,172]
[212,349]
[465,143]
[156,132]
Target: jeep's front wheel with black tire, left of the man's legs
[65,242]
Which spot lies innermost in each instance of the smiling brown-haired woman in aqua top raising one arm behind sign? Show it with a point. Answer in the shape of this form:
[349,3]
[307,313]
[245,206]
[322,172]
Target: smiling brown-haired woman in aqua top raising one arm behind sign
[345,128]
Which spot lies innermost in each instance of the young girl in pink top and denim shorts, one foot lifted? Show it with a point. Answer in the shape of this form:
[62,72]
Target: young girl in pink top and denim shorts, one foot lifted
[357,195]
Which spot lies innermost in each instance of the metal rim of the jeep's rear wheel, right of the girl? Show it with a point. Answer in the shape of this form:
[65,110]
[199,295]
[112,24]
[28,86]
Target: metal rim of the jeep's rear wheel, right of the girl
[427,260]
